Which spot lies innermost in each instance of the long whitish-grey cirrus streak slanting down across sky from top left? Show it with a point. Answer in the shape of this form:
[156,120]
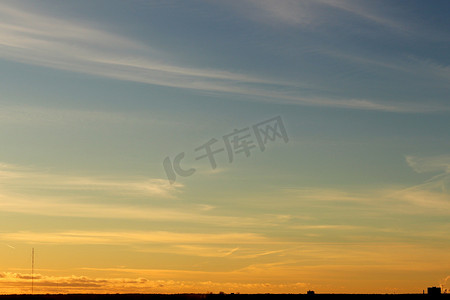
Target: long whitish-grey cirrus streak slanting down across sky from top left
[30,37]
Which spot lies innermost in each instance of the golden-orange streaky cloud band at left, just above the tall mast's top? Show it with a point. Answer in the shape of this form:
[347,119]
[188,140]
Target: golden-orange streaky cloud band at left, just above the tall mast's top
[237,245]
